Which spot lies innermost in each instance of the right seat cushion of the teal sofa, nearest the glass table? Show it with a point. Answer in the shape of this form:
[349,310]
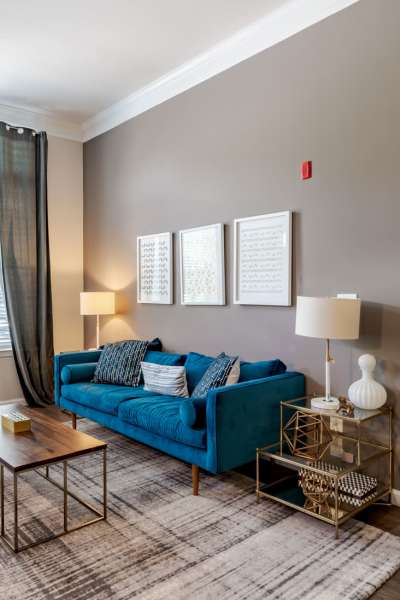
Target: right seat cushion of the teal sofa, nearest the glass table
[160,415]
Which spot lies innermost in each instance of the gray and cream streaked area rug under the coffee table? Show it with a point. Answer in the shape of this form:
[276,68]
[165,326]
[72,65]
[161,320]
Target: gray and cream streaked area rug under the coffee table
[160,542]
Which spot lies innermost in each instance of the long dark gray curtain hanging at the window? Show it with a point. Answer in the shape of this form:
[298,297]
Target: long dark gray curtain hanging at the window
[25,258]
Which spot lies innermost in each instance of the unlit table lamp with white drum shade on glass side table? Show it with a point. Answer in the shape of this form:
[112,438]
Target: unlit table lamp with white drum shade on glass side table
[329,319]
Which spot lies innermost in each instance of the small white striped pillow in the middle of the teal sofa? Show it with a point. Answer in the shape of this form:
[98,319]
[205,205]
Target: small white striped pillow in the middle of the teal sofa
[165,380]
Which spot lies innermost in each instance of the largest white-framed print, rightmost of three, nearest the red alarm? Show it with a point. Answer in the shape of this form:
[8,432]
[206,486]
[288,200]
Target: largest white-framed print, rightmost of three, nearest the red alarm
[262,273]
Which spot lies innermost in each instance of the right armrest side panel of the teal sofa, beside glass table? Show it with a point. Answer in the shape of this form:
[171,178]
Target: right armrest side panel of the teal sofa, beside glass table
[245,416]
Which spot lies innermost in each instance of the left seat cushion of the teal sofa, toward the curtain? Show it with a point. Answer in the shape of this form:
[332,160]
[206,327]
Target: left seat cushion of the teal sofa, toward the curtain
[101,396]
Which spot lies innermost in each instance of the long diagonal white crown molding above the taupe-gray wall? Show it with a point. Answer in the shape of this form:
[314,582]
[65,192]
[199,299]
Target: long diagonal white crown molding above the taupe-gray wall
[264,33]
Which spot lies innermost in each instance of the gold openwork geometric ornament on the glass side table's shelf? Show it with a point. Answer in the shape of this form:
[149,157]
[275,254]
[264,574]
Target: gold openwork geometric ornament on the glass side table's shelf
[307,435]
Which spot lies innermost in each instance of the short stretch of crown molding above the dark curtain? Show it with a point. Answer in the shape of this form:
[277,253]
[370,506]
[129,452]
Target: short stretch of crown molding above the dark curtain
[40,120]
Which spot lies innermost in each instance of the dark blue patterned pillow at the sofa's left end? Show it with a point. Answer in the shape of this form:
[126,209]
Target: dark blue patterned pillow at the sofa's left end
[119,363]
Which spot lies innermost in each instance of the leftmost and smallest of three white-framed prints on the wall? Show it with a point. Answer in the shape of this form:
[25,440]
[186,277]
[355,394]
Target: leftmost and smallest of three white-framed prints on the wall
[154,266]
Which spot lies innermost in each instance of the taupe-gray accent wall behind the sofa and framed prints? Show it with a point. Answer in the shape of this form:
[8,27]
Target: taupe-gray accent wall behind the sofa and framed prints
[232,147]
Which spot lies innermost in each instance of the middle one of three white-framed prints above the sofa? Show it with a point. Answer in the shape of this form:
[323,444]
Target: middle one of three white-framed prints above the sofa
[202,265]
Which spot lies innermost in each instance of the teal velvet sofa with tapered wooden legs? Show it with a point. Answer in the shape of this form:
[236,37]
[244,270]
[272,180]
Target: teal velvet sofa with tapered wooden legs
[217,434]
